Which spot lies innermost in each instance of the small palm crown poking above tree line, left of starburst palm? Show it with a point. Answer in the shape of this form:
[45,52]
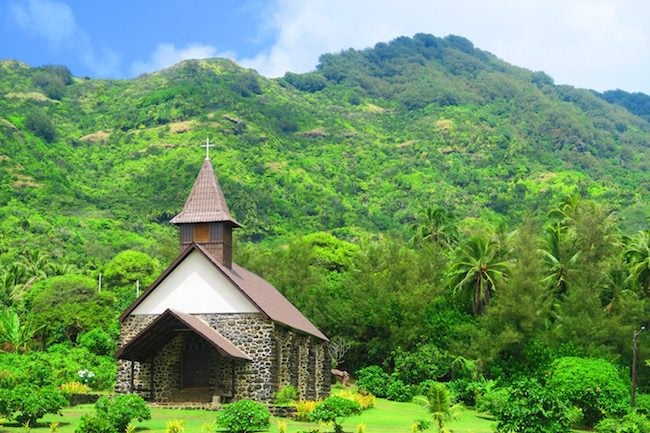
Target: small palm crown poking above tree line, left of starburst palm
[435,224]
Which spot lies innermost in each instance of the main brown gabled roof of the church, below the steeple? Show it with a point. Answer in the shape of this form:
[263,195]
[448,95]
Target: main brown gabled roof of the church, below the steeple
[260,292]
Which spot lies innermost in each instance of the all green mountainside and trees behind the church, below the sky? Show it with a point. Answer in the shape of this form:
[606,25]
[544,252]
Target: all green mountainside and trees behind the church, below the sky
[447,216]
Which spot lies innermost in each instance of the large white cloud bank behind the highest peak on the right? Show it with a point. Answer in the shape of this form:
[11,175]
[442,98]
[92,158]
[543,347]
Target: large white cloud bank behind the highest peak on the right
[580,42]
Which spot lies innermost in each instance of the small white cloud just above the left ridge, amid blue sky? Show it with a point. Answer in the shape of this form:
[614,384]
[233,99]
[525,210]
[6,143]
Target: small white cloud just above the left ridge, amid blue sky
[166,54]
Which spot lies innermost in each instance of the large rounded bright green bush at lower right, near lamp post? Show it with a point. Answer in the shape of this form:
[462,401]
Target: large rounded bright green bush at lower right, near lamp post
[593,385]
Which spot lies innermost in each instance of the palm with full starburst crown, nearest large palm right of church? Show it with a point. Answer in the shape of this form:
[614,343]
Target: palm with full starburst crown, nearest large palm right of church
[479,266]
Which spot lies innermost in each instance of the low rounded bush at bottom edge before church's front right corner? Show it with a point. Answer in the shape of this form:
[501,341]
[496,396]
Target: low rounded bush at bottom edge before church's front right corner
[244,416]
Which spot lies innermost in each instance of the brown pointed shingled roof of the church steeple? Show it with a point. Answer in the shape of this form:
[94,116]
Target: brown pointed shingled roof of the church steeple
[206,202]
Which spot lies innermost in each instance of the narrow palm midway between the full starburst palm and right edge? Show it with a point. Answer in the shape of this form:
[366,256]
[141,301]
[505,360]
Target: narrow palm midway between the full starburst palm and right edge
[557,261]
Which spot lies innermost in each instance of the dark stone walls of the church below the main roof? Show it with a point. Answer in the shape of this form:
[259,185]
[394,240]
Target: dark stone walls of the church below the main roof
[280,357]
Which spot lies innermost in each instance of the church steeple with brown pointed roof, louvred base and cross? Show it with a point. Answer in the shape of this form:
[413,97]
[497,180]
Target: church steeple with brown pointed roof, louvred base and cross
[205,218]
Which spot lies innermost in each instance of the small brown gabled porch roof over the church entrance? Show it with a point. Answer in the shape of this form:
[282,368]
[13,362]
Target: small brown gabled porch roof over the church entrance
[163,328]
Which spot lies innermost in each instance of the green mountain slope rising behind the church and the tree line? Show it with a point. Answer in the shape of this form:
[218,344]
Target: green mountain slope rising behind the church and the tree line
[92,167]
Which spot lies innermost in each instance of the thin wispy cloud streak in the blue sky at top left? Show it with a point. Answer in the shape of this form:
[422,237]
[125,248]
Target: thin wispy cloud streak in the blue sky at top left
[54,21]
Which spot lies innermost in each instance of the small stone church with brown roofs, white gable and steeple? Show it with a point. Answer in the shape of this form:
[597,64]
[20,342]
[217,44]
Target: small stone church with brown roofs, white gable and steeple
[208,330]
